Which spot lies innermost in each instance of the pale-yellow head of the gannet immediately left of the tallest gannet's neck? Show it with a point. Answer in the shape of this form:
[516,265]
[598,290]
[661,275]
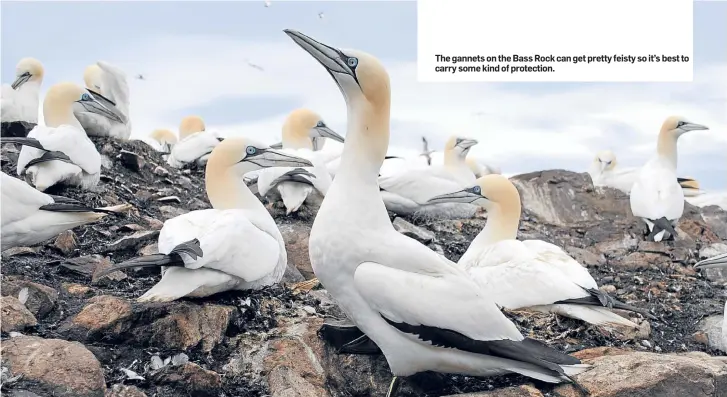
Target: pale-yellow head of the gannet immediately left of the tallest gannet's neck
[304,125]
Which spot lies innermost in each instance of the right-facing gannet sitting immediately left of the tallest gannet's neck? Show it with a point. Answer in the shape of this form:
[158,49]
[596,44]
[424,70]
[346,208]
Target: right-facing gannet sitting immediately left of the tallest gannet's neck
[303,135]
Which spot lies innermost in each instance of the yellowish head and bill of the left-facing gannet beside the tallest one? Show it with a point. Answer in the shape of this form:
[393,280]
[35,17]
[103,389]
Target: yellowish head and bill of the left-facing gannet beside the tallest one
[488,191]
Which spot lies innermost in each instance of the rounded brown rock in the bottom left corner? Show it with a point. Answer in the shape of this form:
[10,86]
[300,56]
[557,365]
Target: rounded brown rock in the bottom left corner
[57,367]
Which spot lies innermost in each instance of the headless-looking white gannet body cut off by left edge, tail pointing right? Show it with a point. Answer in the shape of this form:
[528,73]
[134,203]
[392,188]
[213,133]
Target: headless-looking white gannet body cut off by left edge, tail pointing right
[30,217]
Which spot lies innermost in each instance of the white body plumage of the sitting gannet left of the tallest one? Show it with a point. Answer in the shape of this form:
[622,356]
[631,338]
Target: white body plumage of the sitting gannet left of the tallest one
[230,242]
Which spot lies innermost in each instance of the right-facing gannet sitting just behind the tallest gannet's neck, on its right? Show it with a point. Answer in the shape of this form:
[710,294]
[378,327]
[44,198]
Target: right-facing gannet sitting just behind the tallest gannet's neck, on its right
[407,192]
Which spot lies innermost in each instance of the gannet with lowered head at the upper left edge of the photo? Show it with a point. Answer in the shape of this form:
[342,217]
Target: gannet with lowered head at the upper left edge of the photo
[20,99]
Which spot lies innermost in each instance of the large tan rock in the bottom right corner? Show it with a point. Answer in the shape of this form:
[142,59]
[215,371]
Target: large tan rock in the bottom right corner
[650,374]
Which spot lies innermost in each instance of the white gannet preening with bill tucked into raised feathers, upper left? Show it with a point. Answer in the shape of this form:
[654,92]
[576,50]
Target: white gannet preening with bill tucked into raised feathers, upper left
[108,85]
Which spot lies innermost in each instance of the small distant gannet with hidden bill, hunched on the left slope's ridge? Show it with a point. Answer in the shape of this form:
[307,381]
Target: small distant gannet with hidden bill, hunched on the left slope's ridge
[195,143]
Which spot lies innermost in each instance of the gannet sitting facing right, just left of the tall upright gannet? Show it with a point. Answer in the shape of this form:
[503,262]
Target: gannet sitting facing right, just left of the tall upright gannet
[235,245]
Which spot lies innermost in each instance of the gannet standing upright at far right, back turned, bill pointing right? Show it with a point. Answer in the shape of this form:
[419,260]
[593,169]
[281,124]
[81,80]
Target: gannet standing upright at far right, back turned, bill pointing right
[656,195]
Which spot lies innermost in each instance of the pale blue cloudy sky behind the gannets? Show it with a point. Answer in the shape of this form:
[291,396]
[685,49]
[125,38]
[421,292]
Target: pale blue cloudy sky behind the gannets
[195,58]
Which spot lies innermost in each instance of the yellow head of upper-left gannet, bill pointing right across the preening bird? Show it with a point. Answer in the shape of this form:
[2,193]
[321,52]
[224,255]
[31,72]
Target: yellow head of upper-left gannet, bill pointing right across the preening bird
[64,99]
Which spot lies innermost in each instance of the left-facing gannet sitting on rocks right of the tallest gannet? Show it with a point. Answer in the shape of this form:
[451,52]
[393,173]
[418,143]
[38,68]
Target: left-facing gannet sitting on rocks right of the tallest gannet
[532,273]
